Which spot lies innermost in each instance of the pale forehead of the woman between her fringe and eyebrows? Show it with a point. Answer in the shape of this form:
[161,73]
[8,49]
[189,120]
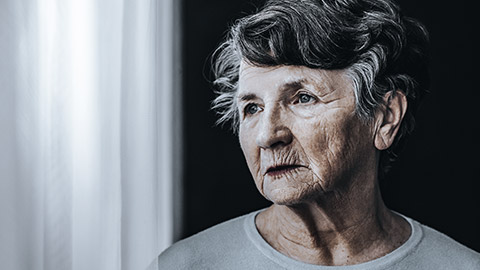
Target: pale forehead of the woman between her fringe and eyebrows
[254,78]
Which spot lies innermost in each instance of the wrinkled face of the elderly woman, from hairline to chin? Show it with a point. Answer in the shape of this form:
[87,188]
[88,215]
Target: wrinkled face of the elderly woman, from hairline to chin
[299,132]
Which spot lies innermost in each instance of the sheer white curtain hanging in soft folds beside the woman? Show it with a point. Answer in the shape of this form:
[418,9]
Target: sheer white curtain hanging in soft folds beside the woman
[89,140]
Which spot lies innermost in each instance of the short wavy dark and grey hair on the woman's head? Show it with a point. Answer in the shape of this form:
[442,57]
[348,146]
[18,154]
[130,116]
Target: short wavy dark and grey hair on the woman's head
[380,49]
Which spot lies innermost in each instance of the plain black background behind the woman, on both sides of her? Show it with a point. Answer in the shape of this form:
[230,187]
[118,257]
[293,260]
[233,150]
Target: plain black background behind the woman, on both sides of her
[435,181]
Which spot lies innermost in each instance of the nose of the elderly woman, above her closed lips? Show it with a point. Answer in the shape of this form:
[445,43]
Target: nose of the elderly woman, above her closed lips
[273,131]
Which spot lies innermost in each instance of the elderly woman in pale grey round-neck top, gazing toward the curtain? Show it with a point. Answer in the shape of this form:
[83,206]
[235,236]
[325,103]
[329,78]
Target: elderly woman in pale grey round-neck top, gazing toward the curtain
[322,94]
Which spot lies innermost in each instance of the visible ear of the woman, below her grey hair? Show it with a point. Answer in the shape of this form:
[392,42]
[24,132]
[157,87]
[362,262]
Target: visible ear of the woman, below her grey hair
[388,119]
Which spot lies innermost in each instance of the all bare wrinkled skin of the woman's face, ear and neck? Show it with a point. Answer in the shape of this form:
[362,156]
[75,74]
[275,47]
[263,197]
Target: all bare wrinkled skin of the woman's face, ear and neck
[317,162]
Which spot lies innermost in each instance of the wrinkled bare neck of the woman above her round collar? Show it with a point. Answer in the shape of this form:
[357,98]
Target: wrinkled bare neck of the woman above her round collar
[336,229]
